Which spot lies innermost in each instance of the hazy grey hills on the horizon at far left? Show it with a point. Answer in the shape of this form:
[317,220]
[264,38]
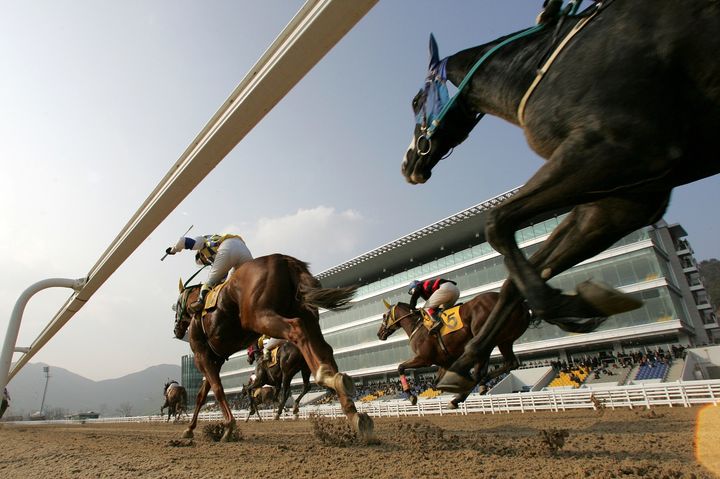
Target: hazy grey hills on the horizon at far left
[134,394]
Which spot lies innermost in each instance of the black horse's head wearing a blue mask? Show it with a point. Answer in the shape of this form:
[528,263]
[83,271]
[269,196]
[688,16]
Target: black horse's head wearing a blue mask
[441,122]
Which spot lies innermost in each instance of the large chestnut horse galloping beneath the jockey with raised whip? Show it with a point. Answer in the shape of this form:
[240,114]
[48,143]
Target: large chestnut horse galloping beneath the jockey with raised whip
[275,295]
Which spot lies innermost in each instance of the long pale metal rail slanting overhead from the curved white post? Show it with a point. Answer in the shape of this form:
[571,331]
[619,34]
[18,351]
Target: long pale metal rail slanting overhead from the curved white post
[314,30]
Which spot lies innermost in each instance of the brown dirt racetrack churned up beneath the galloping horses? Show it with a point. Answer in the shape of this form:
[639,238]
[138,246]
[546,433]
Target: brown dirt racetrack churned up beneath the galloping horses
[656,443]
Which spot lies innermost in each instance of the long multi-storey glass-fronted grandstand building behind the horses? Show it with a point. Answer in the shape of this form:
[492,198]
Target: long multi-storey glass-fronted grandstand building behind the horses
[655,264]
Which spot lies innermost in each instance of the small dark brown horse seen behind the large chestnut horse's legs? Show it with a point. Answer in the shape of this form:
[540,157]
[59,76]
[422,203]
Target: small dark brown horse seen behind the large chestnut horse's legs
[289,362]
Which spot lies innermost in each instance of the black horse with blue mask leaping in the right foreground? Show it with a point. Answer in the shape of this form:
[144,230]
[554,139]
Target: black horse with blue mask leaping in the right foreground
[624,107]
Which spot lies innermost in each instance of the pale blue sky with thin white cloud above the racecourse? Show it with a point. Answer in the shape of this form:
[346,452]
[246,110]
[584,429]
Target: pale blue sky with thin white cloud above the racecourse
[100,98]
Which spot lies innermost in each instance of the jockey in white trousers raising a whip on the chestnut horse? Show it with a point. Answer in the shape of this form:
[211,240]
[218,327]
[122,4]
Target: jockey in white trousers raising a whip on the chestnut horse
[223,252]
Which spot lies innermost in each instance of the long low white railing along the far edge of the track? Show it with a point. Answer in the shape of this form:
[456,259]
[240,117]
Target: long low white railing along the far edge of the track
[685,394]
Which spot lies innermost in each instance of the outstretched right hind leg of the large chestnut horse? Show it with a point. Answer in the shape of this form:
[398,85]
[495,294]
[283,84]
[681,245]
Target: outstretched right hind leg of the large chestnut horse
[318,354]
